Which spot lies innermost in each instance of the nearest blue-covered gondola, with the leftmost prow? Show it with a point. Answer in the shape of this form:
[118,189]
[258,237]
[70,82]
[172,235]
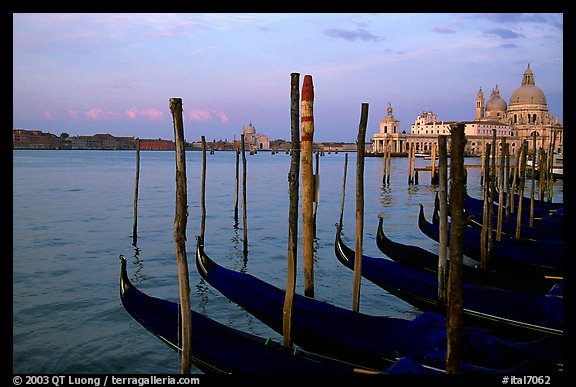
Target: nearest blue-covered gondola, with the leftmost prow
[219,349]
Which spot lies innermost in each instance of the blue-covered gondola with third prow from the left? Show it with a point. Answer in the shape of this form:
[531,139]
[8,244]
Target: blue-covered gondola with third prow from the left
[519,315]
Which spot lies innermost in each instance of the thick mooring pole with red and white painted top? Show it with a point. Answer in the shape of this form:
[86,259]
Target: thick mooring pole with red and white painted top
[307,142]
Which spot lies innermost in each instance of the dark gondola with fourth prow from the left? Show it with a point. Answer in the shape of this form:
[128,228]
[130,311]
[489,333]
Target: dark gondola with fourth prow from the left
[418,257]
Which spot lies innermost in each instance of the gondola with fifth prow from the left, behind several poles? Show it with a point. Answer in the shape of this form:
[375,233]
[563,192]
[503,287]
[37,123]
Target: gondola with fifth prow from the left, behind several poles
[509,255]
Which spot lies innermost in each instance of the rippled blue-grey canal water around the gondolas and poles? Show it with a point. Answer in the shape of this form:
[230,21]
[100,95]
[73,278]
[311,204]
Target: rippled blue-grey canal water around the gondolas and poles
[73,217]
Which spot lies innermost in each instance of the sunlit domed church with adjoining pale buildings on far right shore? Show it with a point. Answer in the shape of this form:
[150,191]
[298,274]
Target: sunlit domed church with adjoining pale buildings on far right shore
[525,114]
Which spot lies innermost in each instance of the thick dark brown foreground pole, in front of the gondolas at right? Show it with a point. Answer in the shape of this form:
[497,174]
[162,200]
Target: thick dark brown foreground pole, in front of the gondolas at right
[455,297]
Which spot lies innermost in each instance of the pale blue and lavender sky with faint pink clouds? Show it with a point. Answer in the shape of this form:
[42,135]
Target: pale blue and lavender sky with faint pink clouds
[90,73]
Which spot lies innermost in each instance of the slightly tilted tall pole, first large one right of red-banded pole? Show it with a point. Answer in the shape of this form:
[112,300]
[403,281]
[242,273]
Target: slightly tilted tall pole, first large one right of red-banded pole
[359,206]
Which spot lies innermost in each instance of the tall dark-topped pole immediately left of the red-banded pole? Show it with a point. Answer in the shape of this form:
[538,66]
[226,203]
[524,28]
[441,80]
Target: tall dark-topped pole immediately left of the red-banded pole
[293,184]
